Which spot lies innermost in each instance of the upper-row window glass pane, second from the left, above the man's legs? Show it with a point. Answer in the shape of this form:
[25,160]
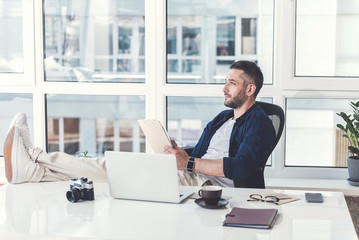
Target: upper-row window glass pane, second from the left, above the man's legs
[95,41]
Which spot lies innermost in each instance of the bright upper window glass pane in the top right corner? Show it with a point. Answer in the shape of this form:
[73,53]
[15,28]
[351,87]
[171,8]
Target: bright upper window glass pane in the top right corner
[327,35]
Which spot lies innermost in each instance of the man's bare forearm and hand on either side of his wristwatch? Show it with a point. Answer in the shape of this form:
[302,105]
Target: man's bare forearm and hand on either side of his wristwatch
[204,166]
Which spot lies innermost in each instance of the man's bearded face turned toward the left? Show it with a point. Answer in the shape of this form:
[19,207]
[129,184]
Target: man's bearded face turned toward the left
[235,89]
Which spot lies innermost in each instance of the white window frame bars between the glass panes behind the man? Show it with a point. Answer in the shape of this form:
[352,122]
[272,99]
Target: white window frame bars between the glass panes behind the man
[156,90]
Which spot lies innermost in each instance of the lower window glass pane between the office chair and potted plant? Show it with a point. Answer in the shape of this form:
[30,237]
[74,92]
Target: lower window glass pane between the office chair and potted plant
[312,138]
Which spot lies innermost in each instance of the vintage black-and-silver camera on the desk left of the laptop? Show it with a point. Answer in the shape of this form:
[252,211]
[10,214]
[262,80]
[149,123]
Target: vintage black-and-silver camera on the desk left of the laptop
[80,189]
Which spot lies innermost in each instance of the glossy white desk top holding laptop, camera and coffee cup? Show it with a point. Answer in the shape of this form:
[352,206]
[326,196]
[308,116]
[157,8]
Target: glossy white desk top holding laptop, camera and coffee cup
[41,211]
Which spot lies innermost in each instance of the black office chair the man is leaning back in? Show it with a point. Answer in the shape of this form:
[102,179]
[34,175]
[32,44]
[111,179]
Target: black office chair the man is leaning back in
[276,114]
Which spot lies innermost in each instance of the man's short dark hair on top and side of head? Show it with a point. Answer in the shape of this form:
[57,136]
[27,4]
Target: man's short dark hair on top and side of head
[252,71]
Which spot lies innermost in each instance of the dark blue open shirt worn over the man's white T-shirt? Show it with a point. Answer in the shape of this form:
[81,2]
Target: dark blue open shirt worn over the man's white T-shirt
[251,142]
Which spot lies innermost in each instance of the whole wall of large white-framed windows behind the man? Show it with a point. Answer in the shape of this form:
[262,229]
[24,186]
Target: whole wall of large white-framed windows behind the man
[85,71]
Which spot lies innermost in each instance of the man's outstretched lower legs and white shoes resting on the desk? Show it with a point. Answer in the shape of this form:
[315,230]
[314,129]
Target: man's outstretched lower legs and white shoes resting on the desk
[25,164]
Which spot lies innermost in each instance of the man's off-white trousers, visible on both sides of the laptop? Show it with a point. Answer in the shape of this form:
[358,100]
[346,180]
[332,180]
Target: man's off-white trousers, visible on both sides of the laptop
[59,166]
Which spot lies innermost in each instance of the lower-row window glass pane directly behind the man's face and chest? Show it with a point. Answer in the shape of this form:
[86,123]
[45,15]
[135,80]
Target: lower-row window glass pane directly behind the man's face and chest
[188,116]
